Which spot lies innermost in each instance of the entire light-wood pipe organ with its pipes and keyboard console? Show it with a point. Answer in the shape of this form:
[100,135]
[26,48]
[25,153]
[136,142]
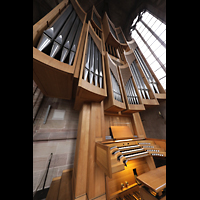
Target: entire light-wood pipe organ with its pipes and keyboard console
[110,82]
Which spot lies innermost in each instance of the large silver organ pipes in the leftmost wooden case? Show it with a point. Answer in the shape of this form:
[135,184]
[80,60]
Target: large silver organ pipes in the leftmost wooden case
[63,35]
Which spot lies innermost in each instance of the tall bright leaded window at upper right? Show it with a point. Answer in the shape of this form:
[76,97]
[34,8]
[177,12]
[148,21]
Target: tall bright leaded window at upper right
[150,35]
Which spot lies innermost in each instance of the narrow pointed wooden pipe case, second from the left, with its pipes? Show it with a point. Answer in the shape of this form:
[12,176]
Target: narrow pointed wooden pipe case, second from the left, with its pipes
[92,80]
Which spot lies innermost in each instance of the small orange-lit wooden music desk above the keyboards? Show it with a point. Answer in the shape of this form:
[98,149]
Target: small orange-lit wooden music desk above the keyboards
[121,132]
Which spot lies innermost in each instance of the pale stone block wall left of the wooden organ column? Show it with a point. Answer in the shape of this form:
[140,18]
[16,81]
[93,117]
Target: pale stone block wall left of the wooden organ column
[57,136]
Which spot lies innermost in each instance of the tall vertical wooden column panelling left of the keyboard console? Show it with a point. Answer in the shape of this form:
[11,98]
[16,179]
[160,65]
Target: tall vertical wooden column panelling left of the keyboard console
[88,177]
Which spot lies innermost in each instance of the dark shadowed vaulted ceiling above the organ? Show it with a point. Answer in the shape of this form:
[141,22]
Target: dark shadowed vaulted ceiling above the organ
[121,12]
